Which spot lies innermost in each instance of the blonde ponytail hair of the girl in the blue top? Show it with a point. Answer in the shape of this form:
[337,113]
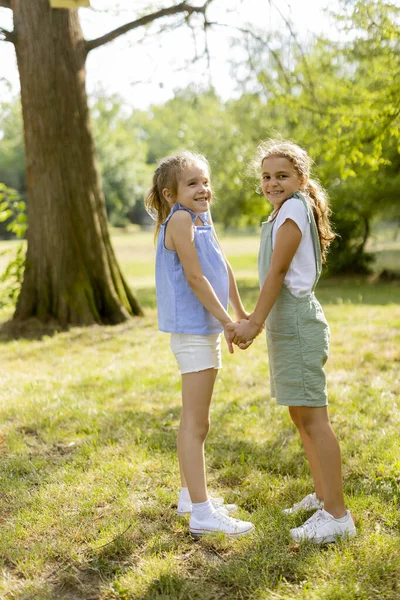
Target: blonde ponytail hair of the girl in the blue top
[167,175]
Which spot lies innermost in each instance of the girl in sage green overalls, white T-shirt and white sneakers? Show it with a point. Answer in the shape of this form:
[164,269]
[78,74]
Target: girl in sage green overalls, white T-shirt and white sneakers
[294,242]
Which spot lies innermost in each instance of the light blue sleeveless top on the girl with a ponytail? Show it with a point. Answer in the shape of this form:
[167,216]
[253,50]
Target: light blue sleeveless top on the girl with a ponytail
[179,309]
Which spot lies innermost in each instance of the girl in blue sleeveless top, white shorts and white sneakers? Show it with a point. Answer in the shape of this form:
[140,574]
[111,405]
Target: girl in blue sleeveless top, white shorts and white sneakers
[193,284]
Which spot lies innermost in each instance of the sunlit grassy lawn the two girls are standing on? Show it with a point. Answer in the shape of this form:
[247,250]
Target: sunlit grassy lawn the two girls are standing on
[88,462]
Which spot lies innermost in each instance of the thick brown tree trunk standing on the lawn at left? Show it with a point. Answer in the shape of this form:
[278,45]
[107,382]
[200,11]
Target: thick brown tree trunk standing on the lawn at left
[71,273]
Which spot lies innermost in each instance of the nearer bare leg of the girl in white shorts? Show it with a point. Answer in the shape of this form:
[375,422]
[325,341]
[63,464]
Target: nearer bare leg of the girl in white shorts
[197,389]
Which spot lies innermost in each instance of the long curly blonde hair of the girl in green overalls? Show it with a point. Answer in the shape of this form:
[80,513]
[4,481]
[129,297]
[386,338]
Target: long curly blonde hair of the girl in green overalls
[315,192]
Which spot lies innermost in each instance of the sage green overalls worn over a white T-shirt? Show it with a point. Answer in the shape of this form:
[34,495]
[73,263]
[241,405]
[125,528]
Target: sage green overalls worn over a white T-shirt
[297,332]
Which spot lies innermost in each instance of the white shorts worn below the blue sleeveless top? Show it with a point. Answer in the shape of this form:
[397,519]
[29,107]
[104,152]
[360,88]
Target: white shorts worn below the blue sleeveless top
[196,352]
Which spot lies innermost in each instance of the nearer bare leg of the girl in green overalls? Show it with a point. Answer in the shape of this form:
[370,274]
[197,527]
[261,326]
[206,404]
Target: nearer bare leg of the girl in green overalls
[325,452]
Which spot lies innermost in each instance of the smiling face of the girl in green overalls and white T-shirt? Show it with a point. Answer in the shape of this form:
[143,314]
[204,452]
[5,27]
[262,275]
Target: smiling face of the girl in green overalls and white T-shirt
[280,180]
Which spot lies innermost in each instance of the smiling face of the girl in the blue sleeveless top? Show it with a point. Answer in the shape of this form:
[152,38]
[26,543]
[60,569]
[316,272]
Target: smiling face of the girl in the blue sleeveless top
[194,188]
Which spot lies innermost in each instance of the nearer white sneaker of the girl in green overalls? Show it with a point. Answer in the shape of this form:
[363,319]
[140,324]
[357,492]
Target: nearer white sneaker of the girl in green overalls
[322,528]
